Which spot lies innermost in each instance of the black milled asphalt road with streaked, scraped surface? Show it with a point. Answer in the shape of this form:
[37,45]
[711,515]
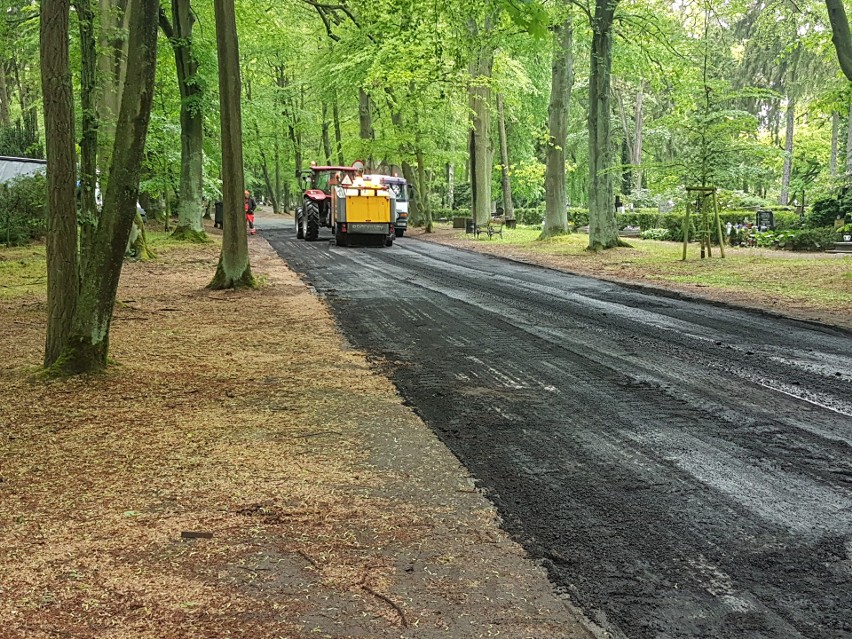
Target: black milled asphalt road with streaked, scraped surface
[682,469]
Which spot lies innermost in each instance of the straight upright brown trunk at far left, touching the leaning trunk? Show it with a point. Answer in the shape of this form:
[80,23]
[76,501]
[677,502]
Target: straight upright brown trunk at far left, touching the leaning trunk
[62,284]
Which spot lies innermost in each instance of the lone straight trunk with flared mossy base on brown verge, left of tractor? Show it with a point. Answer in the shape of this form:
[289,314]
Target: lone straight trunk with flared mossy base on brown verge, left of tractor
[234,270]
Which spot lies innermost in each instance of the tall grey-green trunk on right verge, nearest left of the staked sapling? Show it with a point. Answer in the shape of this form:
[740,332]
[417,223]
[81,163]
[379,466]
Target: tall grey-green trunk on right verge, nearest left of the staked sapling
[603,229]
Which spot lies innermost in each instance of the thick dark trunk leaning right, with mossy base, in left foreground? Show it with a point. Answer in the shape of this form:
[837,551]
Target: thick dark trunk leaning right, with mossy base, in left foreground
[88,342]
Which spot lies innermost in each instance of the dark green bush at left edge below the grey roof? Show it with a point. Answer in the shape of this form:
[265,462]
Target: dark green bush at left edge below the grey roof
[23,209]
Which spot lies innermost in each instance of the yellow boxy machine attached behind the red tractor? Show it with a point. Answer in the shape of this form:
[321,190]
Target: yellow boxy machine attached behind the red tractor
[363,211]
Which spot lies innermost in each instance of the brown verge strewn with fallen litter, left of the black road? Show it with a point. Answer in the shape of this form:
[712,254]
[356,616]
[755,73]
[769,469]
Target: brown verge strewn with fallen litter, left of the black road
[327,509]
